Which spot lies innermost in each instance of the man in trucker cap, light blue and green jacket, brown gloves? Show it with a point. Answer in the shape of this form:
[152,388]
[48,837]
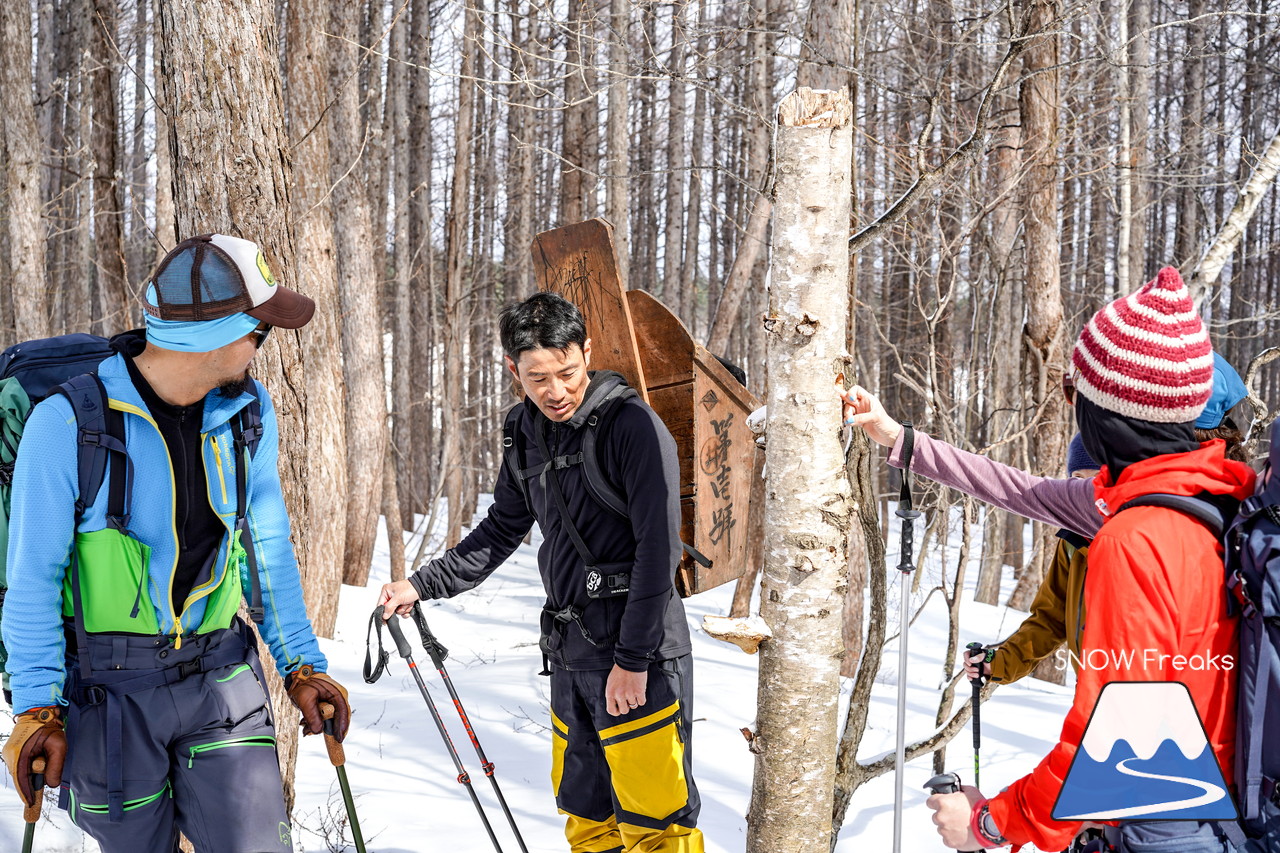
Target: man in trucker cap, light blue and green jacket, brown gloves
[135,679]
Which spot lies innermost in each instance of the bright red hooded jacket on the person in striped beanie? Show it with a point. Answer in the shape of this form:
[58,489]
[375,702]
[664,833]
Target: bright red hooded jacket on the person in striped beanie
[1155,583]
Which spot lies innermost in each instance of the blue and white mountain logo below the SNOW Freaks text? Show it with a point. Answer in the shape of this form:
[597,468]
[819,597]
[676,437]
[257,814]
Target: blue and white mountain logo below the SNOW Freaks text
[1145,755]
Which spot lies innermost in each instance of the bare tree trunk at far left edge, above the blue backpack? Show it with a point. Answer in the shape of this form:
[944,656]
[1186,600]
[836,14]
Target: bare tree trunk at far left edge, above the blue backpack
[21,149]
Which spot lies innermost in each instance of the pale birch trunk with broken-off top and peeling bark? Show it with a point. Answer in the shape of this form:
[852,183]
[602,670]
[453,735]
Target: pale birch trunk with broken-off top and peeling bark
[808,504]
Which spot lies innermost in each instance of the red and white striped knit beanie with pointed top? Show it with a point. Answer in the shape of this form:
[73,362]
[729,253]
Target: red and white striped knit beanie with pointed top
[1148,355]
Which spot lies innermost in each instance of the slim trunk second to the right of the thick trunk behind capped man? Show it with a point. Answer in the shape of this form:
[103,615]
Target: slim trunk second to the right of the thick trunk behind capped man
[360,297]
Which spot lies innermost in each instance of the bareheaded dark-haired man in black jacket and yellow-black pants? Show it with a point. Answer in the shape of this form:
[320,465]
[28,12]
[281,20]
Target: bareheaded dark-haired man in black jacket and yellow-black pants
[620,664]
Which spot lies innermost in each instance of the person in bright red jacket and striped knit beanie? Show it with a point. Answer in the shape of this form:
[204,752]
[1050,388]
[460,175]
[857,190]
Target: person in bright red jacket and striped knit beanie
[1144,371]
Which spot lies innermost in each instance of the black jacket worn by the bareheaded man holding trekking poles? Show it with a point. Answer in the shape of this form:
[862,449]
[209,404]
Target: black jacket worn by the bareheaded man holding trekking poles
[638,455]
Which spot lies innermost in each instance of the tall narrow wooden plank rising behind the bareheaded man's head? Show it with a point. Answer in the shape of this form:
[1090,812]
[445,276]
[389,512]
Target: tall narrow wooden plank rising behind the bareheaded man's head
[579,263]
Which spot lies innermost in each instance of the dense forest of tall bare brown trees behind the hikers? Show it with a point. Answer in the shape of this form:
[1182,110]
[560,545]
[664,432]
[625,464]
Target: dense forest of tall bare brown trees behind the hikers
[1014,166]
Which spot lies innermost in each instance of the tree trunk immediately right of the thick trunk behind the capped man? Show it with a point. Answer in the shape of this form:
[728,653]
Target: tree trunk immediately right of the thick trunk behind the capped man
[318,277]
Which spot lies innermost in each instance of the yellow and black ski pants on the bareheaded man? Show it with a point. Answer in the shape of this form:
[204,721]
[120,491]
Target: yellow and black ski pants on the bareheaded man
[625,783]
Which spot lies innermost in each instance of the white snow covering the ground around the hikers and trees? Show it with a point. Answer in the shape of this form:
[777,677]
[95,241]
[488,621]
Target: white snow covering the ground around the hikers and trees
[404,781]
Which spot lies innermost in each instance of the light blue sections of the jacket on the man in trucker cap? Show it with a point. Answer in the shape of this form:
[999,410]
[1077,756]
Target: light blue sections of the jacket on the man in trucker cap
[45,490]
